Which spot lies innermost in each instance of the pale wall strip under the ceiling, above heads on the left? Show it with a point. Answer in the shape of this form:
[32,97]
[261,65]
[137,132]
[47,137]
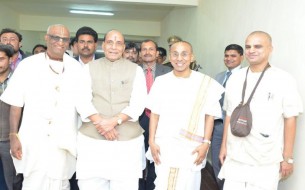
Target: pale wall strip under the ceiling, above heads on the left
[133,30]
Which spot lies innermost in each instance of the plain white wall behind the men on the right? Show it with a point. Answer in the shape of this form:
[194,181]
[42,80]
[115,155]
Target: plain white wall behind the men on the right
[215,24]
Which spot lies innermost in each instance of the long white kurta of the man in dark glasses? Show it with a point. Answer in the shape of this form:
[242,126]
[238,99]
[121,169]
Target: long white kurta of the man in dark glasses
[49,124]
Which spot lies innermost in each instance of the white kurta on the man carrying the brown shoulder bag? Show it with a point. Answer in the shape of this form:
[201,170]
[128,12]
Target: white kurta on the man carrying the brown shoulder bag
[275,98]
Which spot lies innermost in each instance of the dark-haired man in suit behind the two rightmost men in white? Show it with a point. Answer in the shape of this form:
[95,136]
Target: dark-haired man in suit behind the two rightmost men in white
[233,57]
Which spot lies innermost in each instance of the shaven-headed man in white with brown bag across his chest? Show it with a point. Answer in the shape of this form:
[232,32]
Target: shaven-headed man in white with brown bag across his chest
[259,160]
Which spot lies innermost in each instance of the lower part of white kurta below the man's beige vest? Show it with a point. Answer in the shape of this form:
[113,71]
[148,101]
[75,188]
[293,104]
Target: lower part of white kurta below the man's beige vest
[110,160]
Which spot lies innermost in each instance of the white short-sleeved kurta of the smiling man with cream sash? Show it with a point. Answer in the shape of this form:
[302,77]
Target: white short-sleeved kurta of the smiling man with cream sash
[173,99]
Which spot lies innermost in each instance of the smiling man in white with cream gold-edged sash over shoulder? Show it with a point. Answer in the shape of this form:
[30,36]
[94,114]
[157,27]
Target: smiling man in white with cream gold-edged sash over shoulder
[183,105]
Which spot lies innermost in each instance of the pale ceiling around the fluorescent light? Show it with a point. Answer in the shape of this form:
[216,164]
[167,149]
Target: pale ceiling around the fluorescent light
[142,10]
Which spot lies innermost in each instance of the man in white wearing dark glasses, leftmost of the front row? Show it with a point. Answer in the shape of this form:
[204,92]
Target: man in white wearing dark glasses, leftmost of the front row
[44,148]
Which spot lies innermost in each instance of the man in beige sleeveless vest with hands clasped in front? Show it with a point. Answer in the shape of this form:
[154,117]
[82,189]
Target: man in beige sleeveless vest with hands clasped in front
[114,161]
